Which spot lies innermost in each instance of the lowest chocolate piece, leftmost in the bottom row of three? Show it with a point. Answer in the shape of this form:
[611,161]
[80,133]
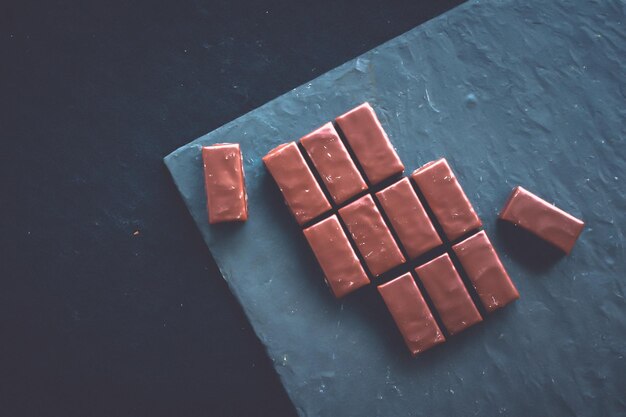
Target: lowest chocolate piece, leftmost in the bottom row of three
[411,314]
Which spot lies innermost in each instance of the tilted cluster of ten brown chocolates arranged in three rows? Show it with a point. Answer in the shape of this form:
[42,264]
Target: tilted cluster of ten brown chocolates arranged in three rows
[364,223]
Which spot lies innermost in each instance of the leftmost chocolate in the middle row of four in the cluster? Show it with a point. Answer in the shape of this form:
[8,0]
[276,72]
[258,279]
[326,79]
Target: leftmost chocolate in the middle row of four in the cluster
[342,269]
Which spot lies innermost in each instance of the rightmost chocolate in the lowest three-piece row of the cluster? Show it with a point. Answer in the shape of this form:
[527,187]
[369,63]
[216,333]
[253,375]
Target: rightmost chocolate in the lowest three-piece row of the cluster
[484,269]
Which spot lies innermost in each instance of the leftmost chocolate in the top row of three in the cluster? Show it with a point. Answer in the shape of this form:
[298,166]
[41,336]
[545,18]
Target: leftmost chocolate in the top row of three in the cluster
[301,191]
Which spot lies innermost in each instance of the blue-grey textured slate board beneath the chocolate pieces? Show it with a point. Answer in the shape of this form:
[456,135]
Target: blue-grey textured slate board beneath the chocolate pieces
[511,92]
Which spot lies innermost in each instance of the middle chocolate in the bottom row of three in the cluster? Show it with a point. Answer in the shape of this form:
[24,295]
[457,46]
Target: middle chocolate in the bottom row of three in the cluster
[447,291]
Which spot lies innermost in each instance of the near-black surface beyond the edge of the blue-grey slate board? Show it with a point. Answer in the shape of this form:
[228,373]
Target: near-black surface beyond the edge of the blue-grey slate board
[110,303]
